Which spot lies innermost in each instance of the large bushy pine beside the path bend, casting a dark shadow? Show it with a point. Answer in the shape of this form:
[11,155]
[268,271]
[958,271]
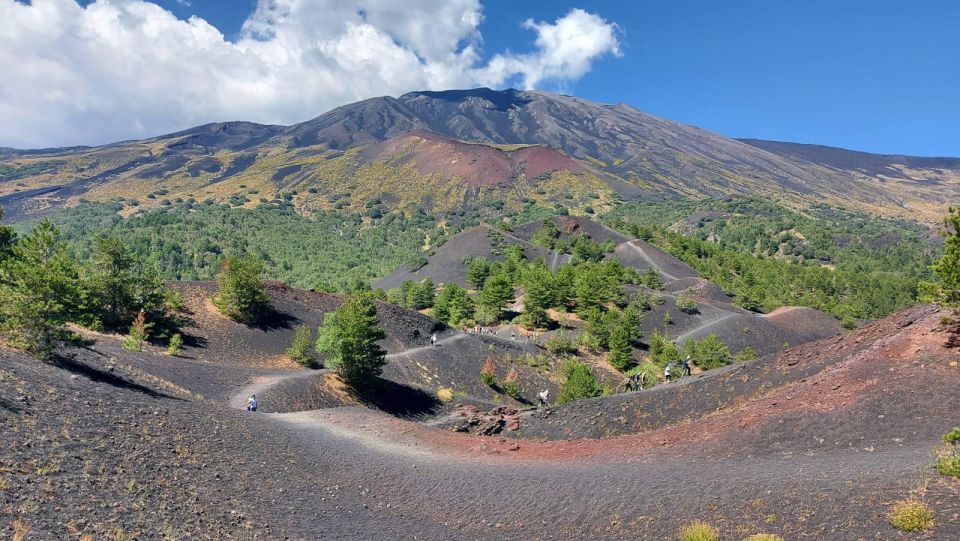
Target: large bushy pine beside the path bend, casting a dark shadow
[349,338]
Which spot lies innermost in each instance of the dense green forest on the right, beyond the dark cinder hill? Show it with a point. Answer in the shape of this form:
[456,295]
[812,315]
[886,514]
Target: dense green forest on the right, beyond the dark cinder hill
[850,265]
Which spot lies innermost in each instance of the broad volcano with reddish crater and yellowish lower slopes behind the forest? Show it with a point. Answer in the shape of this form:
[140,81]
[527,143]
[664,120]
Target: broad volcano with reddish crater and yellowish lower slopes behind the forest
[446,152]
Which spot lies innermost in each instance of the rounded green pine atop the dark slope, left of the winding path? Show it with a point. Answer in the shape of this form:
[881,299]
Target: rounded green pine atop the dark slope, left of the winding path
[241,294]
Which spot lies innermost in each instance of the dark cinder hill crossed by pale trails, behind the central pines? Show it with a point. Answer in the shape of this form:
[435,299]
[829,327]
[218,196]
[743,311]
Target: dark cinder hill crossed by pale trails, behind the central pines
[716,314]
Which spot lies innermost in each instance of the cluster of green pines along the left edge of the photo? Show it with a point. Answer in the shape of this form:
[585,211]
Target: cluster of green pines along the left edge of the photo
[43,288]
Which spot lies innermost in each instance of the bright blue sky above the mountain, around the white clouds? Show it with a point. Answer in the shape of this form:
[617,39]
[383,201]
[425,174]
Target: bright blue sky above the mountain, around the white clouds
[880,76]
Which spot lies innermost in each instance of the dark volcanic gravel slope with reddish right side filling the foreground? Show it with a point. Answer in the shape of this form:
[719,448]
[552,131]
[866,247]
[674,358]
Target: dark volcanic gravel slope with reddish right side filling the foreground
[814,445]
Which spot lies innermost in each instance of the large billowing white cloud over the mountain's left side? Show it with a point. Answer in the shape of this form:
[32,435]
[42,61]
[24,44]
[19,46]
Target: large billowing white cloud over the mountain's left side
[120,69]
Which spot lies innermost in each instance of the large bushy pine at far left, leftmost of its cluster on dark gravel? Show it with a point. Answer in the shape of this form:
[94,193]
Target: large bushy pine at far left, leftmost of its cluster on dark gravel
[38,291]
